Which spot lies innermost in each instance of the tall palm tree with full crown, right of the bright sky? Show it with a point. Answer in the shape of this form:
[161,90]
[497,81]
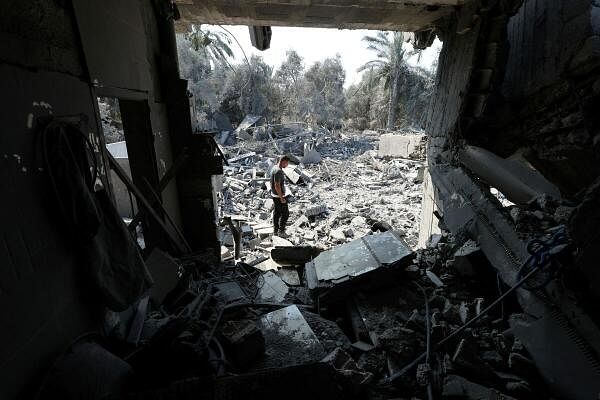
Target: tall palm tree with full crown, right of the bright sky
[388,65]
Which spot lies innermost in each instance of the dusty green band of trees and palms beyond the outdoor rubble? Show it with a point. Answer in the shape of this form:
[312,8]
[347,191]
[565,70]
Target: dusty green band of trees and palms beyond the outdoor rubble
[295,93]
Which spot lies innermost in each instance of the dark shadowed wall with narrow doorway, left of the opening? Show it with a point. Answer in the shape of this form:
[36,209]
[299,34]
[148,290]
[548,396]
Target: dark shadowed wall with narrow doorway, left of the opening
[55,58]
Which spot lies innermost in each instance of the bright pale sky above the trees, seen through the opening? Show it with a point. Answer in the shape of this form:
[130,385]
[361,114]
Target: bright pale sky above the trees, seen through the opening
[315,44]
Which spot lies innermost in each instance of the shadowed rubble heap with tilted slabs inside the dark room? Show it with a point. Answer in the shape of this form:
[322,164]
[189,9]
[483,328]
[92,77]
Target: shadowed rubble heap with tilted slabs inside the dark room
[327,331]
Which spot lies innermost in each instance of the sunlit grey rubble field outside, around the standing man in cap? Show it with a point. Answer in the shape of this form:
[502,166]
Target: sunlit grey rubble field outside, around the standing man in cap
[341,190]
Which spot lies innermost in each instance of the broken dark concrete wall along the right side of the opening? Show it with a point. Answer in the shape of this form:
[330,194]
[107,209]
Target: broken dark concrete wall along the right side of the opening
[531,86]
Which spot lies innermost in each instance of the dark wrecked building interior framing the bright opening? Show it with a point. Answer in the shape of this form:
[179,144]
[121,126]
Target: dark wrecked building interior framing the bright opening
[502,304]
